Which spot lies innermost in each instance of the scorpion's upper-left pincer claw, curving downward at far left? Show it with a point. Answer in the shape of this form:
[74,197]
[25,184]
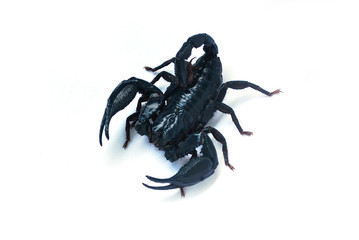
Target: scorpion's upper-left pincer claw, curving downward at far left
[123,94]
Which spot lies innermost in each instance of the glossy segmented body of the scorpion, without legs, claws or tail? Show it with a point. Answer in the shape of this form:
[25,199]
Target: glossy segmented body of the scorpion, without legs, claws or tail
[185,108]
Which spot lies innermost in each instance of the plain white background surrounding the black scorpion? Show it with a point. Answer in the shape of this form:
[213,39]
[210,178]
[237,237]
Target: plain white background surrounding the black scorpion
[295,178]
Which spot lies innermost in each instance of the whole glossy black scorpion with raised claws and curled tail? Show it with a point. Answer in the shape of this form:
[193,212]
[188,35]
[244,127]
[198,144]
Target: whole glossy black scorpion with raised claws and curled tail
[175,121]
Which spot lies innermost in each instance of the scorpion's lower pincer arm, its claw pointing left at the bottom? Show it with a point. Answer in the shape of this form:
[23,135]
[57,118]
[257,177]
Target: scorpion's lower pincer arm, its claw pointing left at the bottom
[196,169]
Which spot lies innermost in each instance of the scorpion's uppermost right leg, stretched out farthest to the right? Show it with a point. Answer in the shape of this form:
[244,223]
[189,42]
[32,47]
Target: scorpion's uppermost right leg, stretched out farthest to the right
[242,85]
